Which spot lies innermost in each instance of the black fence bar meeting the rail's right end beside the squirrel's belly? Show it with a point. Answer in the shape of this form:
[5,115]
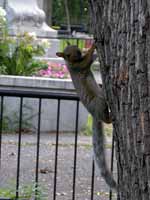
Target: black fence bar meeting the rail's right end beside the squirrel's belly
[75,152]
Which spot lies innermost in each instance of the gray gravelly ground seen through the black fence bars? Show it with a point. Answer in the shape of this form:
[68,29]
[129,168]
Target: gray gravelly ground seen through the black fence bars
[46,165]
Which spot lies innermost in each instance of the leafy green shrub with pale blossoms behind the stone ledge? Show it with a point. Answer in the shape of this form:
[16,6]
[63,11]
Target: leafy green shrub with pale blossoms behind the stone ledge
[17,55]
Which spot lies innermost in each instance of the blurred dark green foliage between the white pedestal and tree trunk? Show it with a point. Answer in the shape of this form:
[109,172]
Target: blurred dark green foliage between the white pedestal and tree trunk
[78,12]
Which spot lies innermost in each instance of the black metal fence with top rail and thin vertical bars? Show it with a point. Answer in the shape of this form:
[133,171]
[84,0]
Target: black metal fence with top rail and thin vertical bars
[40,96]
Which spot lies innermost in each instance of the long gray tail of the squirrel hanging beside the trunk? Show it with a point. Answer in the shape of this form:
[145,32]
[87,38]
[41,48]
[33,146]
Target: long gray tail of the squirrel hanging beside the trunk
[99,153]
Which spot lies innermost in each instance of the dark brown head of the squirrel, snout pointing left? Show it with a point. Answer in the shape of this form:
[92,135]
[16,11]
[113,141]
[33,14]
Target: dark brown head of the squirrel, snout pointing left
[71,54]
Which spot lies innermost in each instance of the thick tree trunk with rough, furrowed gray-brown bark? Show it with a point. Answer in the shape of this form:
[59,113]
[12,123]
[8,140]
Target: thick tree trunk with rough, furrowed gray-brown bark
[122,34]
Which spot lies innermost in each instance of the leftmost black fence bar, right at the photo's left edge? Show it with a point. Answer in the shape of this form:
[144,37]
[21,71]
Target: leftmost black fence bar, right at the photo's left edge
[1,127]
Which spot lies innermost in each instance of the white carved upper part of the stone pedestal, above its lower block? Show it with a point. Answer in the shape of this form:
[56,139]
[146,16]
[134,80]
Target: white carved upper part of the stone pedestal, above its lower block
[25,15]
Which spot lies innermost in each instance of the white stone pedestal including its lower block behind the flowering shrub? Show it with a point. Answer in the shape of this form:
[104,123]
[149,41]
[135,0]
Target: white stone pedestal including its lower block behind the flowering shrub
[28,16]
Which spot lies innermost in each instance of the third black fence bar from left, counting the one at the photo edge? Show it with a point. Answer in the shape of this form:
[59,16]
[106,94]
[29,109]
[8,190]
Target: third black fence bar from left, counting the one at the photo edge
[38,149]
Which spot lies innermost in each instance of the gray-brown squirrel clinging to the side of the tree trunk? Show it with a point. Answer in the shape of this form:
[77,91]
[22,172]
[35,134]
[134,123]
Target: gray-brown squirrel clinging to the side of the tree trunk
[92,97]
